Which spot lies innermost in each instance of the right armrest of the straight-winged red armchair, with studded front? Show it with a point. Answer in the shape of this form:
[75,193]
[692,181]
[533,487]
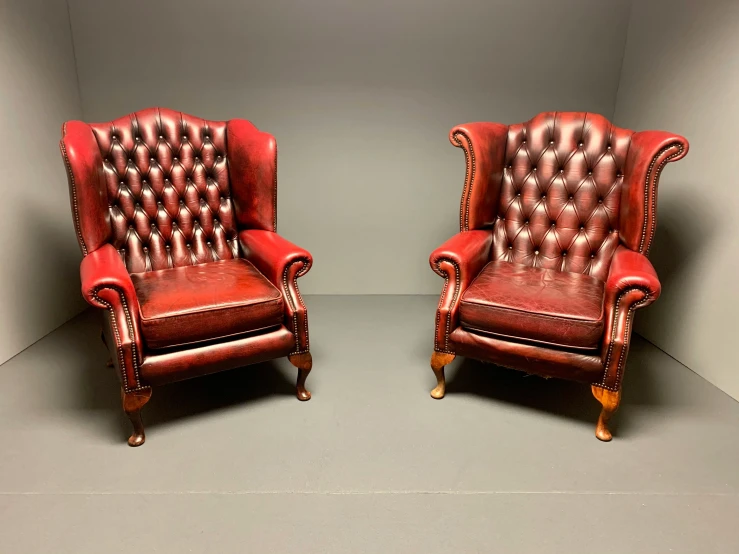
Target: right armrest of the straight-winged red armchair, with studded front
[282,263]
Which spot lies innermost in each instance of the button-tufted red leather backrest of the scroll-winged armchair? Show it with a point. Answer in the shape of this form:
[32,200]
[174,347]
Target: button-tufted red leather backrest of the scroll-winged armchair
[561,192]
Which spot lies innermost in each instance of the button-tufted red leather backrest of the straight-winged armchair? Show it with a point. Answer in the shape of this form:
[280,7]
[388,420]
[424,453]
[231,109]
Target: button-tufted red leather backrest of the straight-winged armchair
[168,190]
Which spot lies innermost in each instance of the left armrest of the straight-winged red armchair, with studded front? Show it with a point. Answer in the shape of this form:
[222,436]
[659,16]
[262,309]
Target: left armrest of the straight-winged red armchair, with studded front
[106,284]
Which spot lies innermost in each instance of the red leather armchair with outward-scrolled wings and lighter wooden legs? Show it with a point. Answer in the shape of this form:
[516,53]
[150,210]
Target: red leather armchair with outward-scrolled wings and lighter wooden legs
[556,220]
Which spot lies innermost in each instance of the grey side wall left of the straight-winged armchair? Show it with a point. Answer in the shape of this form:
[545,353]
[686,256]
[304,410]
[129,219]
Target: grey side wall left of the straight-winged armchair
[39,279]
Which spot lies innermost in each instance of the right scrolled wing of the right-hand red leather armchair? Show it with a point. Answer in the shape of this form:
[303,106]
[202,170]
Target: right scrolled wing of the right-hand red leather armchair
[650,151]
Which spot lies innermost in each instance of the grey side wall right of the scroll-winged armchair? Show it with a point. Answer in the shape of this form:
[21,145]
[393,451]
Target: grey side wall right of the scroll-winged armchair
[681,73]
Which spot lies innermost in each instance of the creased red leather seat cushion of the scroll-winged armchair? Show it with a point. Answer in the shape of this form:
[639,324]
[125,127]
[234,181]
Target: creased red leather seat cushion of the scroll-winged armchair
[532,304]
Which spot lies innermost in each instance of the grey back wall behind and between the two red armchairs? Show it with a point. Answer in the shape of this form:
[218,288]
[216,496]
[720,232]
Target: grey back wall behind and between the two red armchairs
[361,96]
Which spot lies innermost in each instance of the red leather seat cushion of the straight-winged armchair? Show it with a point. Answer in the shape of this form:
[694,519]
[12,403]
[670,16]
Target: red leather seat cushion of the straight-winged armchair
[211,301]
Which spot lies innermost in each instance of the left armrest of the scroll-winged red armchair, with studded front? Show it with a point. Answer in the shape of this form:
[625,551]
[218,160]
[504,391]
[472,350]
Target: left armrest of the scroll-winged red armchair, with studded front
[458,260]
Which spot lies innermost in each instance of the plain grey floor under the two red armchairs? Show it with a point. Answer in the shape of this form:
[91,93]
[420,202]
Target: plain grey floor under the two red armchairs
[234,463]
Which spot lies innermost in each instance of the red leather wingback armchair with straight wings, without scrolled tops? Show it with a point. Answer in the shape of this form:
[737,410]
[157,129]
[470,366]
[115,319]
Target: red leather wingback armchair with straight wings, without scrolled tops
[176,217]
